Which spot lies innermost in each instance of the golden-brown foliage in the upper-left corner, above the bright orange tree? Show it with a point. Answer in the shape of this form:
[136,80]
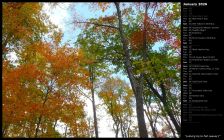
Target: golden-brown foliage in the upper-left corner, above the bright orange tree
[23,23]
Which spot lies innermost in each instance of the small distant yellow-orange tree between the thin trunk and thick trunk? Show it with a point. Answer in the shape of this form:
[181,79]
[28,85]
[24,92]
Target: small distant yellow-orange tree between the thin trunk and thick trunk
[118,99]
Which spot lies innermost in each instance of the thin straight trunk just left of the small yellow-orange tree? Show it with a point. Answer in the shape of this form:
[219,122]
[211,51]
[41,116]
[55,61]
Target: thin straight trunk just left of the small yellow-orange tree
[93,100]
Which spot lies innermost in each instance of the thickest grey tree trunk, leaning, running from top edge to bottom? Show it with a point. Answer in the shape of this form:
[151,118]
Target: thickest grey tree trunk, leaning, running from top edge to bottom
[137,88]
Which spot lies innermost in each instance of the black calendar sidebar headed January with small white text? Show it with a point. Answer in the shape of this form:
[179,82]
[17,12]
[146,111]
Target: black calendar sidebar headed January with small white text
[202,69]
